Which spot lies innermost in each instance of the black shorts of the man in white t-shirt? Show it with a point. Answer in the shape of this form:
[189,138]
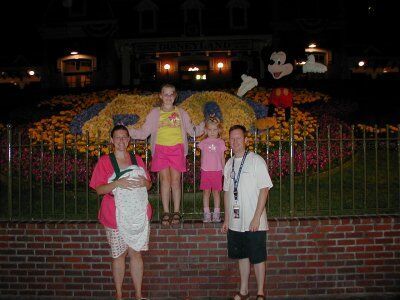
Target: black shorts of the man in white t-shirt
[251,245]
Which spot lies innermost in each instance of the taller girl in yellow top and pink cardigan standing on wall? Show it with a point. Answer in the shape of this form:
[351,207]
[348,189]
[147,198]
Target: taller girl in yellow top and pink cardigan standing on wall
[168,126]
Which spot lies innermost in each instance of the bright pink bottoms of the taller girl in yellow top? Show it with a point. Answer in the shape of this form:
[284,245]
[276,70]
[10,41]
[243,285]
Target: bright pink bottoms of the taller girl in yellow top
[168,156]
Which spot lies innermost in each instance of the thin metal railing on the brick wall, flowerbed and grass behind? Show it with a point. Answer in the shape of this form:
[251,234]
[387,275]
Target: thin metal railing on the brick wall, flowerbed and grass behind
[335,171]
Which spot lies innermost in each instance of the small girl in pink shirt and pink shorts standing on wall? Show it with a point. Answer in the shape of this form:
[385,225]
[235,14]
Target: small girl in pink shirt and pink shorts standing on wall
[212,164]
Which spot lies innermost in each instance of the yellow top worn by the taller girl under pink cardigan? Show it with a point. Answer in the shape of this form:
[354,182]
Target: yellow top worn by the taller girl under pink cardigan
[169,128]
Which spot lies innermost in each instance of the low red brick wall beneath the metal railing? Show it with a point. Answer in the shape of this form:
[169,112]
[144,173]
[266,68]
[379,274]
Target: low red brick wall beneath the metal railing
[306,257]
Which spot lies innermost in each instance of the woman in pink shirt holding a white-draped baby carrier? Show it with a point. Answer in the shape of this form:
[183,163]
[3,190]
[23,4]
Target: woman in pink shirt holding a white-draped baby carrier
[123,210]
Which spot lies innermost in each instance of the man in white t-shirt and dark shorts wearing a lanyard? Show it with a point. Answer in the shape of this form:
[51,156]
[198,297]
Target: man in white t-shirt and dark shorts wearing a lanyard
[246,186]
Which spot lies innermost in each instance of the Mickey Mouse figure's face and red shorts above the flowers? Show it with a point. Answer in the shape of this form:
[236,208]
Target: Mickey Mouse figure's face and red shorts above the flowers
[280,97]
